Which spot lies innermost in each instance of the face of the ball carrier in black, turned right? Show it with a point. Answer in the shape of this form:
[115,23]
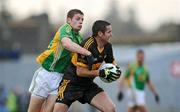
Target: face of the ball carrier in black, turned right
[107,34]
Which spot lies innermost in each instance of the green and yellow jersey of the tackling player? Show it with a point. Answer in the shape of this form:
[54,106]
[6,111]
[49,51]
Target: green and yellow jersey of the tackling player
[55,57]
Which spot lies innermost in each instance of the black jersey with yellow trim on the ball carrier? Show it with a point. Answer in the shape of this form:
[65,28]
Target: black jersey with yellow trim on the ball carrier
[104,54]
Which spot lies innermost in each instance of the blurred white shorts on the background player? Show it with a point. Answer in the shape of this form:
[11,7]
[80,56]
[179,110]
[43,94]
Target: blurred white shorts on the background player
[135,97]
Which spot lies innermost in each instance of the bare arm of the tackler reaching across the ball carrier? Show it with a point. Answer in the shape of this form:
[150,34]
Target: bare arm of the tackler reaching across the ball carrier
[73,47]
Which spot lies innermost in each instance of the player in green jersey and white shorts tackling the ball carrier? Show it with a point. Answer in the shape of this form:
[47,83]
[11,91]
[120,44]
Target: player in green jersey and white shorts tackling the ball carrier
[54,60]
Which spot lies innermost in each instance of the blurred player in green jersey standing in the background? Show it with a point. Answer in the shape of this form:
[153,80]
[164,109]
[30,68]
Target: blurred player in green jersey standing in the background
[137,77]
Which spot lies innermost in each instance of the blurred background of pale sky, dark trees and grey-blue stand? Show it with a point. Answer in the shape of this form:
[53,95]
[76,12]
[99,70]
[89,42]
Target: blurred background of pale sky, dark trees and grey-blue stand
[27,26]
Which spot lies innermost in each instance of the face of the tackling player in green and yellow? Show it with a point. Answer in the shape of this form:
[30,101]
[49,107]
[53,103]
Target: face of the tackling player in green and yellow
[76,21]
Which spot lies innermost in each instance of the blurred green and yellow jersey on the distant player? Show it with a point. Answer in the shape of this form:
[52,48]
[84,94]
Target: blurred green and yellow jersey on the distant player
[137,76]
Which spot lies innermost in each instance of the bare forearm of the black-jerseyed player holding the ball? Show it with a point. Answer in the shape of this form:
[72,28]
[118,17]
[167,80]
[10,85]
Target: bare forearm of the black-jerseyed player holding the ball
[84,72]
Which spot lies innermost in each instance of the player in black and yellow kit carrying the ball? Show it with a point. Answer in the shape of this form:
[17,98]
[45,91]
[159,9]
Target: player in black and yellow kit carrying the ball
[77,84]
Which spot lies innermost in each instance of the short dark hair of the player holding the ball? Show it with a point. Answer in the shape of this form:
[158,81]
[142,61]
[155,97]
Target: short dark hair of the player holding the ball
[99,25]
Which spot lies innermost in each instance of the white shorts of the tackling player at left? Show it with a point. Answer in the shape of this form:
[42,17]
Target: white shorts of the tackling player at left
[45,83]
